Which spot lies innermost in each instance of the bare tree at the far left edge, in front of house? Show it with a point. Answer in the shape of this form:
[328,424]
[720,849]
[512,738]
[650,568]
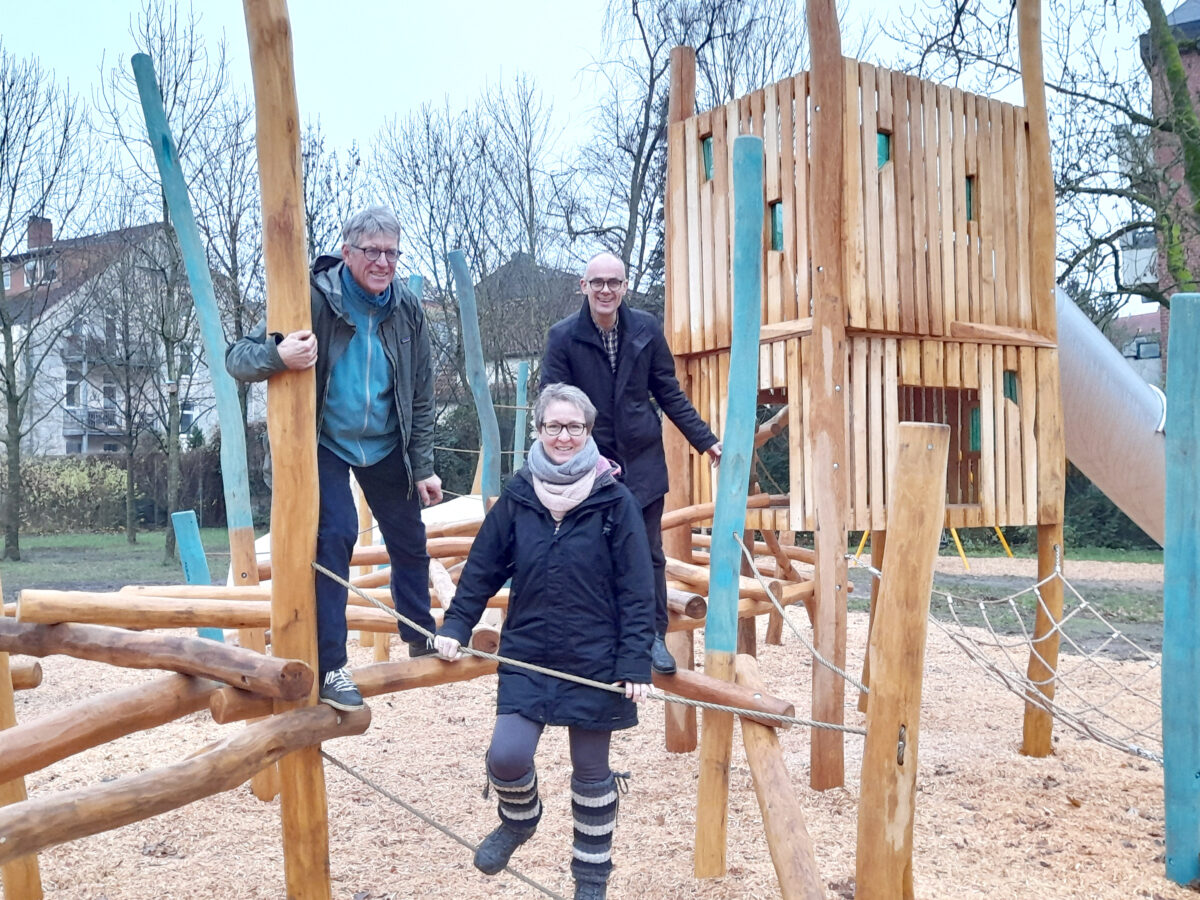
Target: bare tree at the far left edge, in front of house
[45,171]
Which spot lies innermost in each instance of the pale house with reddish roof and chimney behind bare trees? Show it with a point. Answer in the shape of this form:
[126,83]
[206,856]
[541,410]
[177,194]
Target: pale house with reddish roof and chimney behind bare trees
[81,322]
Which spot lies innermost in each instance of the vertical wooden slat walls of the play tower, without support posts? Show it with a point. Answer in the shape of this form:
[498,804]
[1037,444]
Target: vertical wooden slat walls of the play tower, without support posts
[938,217]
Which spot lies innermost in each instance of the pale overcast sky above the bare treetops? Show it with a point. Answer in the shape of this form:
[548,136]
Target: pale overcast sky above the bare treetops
[361,63]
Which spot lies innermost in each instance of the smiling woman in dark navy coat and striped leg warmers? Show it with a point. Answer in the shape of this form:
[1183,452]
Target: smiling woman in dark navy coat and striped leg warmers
[571,538]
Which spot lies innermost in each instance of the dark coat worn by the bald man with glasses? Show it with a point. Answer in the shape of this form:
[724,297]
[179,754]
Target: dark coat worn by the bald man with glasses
[628,429]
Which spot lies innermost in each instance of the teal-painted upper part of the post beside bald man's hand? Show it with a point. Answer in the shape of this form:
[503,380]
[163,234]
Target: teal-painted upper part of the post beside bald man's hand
[737,442]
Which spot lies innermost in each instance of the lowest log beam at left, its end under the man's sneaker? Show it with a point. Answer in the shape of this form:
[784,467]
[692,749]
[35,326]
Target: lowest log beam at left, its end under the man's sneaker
[45,823]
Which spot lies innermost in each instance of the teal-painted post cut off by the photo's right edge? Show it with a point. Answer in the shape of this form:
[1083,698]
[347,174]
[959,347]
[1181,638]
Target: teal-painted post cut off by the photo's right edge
[1181,587]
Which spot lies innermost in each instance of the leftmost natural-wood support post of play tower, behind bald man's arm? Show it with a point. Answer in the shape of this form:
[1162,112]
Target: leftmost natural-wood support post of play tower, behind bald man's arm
[681,722]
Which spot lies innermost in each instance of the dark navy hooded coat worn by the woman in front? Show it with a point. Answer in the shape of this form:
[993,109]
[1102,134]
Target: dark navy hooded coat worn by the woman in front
[581,602]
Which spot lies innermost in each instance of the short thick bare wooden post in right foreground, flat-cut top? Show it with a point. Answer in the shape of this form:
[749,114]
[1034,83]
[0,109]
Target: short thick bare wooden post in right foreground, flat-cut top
[889,794]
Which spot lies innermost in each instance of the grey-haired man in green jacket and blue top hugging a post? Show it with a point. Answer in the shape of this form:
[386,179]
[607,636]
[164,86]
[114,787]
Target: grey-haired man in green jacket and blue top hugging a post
[370,350]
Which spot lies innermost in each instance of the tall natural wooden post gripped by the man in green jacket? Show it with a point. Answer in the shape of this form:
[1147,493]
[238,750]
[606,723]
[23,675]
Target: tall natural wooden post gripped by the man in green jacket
[292,425]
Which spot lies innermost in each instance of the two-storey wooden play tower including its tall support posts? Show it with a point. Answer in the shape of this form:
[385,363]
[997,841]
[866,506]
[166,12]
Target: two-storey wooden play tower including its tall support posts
[909,254]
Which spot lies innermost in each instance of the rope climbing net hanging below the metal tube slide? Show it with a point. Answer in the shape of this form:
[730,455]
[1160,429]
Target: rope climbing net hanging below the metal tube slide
[1106,686]
